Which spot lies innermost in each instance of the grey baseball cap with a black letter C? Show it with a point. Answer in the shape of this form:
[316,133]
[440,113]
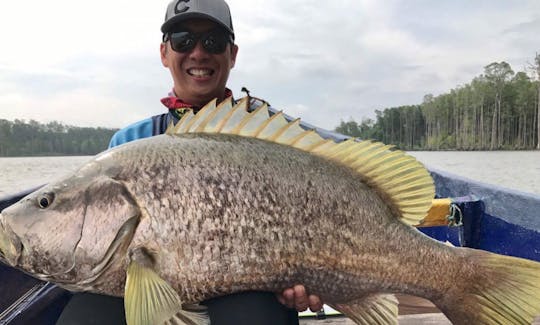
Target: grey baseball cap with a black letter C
[215,10]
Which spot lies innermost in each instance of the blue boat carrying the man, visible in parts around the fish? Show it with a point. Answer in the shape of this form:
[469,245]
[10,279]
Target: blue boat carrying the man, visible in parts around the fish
[477,215]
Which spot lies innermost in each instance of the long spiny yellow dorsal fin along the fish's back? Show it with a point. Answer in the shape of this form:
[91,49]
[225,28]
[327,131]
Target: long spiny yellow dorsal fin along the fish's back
[399,177]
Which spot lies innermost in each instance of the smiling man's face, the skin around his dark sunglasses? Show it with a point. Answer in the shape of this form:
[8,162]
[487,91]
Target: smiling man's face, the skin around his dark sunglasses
[199,76]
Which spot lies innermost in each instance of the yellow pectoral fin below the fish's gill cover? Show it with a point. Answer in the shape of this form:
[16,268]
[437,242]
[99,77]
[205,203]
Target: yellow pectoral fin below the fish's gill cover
[150,300]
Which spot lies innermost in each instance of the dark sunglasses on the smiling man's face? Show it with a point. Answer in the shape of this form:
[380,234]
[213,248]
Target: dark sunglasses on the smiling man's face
[214,41]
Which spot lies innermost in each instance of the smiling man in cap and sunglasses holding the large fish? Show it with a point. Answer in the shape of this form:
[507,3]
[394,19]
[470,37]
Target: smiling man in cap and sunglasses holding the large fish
[199,51]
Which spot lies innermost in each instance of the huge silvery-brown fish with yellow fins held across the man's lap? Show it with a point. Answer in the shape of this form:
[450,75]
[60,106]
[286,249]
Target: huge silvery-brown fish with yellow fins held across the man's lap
[230,201]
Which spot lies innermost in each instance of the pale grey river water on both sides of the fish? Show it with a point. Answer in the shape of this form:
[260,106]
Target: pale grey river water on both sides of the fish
[513,169]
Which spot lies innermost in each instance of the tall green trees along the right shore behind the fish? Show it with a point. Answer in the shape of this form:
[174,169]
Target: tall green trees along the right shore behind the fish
[499,109]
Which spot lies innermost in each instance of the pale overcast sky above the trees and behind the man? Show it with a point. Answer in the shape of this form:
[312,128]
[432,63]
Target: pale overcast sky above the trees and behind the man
[96,63]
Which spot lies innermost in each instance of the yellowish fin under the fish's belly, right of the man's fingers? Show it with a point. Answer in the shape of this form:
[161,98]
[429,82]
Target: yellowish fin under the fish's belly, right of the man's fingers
[372,309]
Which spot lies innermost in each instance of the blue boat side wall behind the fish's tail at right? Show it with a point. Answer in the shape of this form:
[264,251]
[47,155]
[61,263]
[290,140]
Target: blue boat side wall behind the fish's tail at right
[495,219]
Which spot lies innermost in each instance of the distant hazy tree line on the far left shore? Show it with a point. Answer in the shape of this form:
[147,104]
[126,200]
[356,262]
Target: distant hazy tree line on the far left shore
[21,138]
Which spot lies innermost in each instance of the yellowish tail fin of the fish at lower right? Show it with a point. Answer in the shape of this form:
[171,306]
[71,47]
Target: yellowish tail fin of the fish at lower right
[500,290]
